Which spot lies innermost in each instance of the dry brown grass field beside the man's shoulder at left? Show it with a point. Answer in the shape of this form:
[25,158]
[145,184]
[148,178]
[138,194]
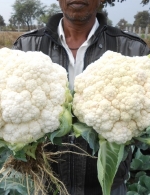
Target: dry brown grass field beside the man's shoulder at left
[8,38]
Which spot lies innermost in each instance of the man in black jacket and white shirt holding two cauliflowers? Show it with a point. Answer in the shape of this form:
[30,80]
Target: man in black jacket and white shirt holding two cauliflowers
[75,39]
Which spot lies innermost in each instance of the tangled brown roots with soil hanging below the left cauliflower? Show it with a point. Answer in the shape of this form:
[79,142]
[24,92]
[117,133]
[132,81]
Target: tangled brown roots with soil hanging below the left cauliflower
[38,170]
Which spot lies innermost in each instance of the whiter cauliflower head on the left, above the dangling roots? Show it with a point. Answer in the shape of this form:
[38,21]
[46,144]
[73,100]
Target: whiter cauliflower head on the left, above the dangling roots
[33,96]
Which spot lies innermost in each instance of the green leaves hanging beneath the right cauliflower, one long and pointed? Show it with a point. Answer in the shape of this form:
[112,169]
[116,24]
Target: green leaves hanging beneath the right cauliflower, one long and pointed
[110,154]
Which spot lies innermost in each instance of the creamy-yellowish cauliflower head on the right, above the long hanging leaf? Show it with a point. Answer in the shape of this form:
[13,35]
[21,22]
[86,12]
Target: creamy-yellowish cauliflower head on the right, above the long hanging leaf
[113,96]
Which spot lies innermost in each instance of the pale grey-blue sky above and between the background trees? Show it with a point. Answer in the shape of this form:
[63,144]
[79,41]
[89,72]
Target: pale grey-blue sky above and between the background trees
[126,10]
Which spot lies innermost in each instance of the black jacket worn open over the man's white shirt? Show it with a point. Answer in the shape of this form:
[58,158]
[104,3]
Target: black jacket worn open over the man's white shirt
[79,173]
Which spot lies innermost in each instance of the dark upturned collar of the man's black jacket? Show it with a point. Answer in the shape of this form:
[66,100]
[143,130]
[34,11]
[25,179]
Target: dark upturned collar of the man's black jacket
[52,25]
